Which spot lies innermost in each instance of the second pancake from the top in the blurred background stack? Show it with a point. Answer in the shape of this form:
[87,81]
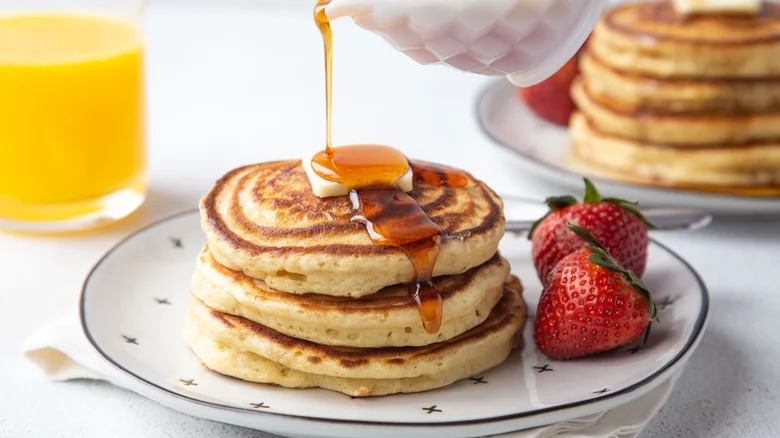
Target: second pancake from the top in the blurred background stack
[634,93]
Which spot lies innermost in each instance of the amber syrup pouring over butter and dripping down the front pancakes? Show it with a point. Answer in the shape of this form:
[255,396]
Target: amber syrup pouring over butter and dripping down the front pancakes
[391,216]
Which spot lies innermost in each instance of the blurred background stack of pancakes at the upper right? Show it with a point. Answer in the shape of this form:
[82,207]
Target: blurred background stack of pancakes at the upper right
[681,101]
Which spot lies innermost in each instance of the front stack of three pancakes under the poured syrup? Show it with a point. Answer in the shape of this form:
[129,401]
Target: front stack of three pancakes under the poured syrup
[290,291]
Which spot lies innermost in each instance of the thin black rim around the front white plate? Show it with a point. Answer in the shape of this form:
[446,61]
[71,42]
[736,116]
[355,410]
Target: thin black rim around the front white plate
[696,333]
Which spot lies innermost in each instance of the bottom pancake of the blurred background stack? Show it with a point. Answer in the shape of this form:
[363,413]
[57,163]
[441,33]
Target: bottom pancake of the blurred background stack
[754,165]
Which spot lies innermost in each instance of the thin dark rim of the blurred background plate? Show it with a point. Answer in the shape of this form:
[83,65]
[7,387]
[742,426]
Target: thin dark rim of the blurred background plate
[494,86]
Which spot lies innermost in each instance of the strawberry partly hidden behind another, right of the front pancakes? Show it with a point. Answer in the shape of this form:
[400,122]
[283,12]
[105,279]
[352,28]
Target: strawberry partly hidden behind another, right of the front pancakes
[613,222]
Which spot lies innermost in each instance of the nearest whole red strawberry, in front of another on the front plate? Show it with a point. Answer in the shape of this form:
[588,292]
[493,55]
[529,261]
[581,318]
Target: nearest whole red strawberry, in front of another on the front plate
[591,304]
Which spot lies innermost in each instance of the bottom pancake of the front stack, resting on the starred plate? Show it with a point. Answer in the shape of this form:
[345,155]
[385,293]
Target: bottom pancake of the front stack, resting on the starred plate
[237,347]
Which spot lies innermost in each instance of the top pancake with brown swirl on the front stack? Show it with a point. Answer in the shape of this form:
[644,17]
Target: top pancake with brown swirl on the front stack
[265,221]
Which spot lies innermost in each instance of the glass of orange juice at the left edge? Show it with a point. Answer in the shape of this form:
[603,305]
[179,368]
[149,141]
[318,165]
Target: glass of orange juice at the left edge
[72,115]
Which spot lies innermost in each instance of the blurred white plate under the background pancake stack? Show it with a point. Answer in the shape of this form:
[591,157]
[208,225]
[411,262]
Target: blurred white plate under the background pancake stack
[543,147]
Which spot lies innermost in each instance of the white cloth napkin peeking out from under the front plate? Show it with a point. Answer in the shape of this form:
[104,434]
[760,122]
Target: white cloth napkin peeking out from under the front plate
[62,352]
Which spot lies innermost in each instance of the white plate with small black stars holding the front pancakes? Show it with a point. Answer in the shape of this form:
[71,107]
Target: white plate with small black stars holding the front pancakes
[134,301]
